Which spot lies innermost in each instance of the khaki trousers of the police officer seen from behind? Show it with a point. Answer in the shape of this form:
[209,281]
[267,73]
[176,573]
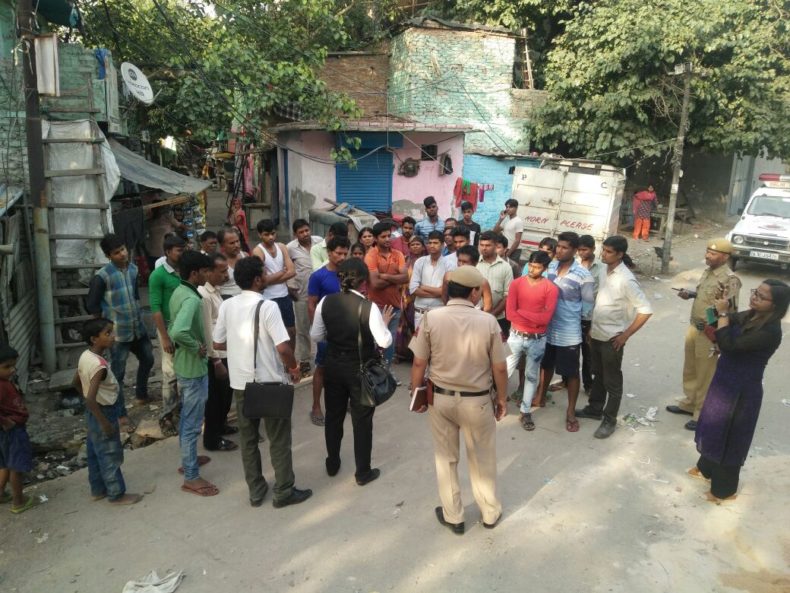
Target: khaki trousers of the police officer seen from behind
[475,417]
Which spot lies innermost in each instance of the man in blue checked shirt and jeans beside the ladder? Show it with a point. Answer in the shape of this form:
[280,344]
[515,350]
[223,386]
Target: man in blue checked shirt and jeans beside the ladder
[114,295]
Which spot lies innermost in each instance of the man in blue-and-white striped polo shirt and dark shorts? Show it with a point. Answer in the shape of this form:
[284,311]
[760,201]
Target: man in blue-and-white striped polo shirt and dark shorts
[564,338]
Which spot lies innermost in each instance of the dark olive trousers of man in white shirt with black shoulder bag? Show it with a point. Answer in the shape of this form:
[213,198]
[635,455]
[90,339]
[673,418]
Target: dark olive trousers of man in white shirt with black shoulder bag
[279,434]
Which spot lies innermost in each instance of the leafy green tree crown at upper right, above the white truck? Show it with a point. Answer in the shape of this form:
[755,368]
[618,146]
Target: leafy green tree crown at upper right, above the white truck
[612,89]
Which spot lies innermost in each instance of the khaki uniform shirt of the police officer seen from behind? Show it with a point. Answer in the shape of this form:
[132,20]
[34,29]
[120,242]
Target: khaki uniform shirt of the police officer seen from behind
[461,344]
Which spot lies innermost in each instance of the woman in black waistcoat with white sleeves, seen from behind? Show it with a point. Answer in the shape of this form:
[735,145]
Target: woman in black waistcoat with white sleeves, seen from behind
[352,327]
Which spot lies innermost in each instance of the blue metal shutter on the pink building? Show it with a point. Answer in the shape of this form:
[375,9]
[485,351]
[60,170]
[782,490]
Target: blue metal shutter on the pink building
[368,186]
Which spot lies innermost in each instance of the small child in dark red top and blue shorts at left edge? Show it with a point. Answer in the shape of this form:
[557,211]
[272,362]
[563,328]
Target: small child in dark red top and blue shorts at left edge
[16,454]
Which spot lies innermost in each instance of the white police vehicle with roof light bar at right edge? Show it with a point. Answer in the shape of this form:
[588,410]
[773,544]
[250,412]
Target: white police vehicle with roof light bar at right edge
[763,232]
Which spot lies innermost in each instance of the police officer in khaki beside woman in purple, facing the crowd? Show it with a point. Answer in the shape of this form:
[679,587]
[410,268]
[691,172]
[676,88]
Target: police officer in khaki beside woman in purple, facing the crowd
[701,354]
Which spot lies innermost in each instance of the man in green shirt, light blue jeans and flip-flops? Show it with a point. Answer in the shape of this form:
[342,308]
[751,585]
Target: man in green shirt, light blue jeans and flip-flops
[190,364]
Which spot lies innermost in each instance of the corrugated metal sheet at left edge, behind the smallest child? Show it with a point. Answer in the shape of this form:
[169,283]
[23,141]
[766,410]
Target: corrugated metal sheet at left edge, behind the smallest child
[18,295]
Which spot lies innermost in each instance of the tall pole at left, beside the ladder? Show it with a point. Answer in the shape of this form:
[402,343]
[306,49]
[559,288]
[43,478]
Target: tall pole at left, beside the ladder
[35,164]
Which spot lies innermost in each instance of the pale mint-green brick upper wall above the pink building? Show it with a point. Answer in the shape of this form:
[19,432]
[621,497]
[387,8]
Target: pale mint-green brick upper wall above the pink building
[441,75]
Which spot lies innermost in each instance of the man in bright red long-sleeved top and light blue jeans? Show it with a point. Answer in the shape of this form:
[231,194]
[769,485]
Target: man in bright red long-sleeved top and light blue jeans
[531,302]
